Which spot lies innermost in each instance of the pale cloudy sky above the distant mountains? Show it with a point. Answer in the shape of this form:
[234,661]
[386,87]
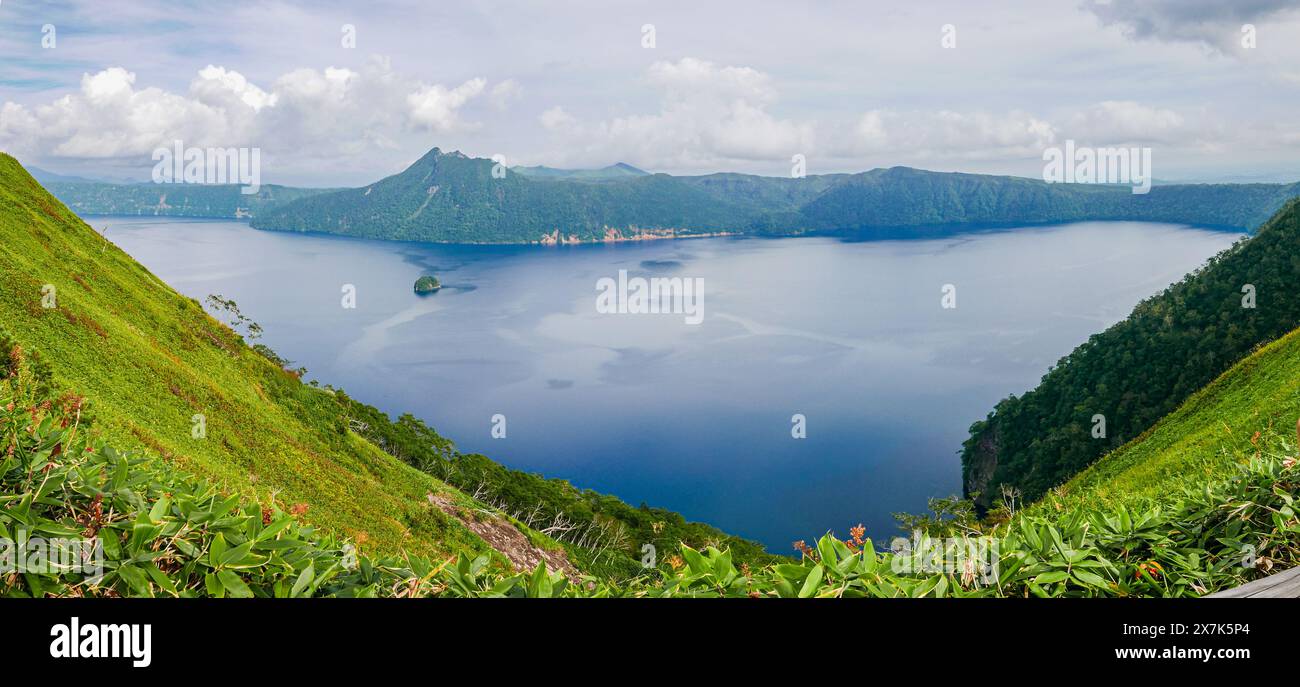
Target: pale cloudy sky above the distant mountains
[341,94]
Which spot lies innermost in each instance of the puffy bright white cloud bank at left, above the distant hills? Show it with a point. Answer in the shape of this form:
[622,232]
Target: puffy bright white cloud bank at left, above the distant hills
[306,114]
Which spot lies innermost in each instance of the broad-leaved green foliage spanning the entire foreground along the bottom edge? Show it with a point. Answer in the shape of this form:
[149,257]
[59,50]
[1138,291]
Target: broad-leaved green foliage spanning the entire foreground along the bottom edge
[167,534]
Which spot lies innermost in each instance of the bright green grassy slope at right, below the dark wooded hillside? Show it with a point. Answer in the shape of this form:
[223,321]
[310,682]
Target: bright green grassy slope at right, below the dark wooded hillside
[1247,411]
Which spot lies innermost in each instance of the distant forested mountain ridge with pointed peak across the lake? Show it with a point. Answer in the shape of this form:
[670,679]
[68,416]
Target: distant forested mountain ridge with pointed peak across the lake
[453,198]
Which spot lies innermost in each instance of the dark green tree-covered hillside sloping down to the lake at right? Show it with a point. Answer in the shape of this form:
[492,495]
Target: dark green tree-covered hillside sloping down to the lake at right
[1142,369]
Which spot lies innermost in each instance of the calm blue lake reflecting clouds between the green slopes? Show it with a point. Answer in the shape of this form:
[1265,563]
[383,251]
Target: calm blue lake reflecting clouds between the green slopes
[697,418]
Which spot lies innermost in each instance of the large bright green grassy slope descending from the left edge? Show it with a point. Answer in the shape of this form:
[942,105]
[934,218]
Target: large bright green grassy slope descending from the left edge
[151,360]
